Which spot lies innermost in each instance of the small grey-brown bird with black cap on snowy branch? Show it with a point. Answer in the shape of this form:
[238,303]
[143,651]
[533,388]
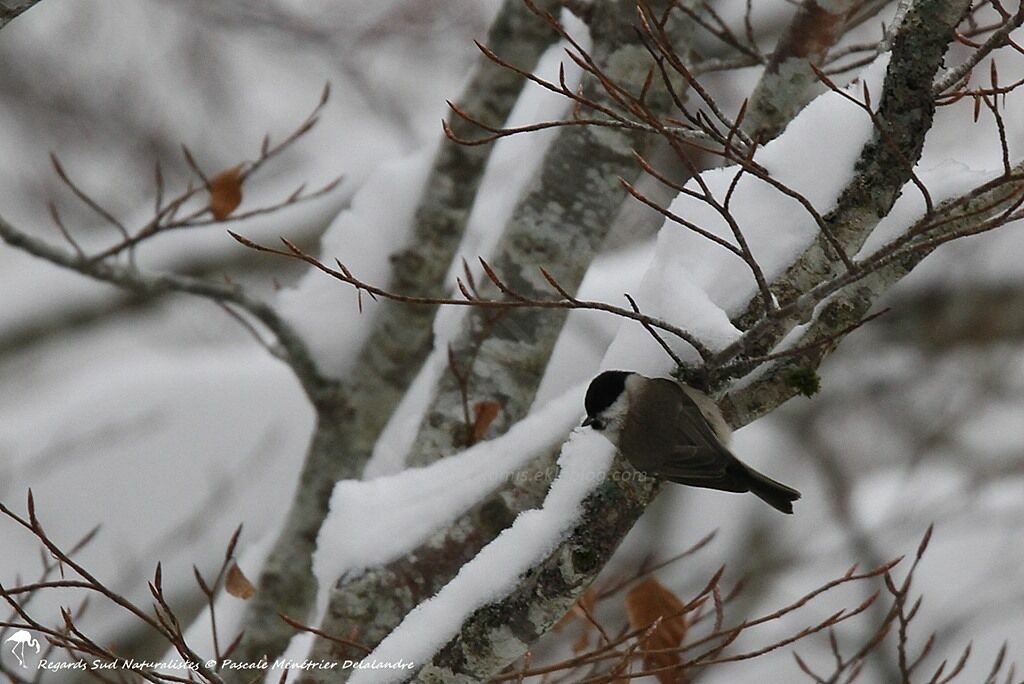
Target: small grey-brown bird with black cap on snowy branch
[675,433]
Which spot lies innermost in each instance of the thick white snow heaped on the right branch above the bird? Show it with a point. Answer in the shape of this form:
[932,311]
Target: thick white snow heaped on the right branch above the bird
[697,285]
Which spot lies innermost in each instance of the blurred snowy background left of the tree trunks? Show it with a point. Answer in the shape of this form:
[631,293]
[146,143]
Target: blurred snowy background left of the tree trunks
[160,419]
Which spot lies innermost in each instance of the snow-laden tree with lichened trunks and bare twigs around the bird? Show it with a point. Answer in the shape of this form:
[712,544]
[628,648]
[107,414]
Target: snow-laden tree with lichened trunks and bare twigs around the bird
[762,268]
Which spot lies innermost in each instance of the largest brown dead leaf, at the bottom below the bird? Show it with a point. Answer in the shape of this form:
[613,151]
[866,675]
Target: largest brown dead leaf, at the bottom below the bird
[652,603]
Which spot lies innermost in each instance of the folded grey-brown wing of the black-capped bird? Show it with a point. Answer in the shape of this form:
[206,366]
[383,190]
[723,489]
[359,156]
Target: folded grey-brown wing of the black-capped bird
[668,437]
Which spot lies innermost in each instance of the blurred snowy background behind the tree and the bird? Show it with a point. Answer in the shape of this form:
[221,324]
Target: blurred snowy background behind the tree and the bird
[163,422]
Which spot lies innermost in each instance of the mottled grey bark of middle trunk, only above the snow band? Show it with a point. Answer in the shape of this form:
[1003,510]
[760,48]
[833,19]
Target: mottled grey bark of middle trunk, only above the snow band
[563,221]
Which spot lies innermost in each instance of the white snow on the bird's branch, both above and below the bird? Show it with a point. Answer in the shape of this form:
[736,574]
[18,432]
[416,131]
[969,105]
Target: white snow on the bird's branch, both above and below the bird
[693,284]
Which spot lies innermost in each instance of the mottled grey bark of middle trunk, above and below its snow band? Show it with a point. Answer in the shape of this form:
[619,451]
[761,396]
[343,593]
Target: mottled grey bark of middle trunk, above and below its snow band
[561,221]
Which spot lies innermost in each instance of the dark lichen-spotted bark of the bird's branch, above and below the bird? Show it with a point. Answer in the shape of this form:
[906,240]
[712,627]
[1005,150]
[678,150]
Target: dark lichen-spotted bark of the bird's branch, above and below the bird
[887,161]
